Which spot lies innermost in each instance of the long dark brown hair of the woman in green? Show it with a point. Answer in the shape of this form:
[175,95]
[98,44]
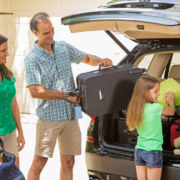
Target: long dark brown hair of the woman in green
[7,73]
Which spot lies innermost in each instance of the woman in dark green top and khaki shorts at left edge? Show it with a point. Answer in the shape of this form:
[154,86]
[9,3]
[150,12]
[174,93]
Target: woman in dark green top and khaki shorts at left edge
[9,111]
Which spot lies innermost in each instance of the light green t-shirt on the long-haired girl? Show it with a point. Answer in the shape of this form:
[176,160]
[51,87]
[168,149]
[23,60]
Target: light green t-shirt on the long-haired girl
[150,134]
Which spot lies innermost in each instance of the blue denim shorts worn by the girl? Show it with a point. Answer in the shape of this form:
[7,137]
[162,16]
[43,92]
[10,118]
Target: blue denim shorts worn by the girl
[151,159]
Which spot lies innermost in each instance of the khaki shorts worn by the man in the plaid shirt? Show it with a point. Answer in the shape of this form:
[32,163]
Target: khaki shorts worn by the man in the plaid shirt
[67,132]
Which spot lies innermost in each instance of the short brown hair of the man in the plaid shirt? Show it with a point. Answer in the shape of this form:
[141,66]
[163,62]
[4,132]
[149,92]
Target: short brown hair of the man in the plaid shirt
[37,18]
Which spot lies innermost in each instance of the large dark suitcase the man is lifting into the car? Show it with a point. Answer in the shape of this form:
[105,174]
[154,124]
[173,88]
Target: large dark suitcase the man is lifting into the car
[107,90]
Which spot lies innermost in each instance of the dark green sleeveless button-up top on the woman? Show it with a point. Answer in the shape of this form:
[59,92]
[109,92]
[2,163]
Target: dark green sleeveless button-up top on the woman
[7,93]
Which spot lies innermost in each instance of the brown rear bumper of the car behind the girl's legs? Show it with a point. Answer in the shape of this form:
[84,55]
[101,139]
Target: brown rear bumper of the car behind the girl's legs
[123,167]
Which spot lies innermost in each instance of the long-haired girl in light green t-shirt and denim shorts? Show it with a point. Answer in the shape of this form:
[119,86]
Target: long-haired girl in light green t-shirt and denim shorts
[144,114]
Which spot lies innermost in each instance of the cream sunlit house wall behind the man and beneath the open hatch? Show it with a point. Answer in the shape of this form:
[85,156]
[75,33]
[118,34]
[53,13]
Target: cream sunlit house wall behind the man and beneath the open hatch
[21,39]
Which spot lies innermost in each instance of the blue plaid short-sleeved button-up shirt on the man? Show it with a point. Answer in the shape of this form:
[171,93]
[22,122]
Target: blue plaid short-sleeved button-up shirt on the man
[53,71]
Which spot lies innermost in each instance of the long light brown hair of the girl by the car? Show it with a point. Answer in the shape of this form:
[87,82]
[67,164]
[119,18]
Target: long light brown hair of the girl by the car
[139,98]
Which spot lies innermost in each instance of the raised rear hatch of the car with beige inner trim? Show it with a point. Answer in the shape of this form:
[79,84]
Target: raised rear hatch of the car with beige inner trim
[140,25]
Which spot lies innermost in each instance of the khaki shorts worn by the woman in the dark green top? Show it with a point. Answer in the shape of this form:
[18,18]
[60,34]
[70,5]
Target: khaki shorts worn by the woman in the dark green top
[10,143]
